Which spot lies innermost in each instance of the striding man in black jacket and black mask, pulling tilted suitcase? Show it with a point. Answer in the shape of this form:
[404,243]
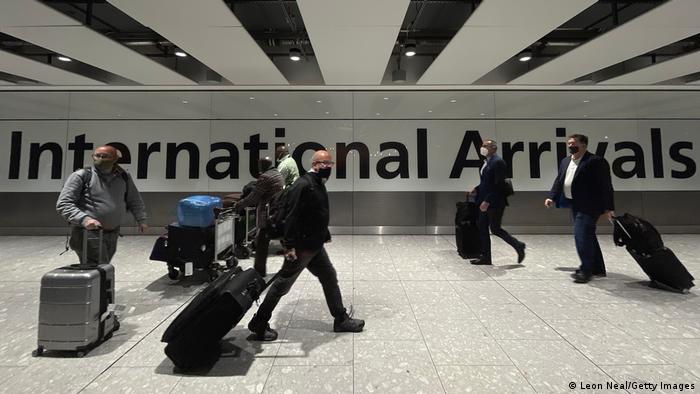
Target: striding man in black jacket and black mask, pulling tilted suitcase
[305,232]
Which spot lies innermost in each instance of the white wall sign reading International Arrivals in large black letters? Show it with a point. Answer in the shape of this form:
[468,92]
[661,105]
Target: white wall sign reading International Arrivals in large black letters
[398,154]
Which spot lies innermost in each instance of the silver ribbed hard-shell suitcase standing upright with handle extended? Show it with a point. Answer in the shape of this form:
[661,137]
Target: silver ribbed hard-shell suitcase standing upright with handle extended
[74,308]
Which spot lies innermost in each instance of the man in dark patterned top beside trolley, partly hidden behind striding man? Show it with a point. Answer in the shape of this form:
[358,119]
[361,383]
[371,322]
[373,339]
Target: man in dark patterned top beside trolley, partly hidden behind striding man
[270,182]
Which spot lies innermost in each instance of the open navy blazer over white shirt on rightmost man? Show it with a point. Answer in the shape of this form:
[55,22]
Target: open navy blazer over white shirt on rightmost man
[591,188]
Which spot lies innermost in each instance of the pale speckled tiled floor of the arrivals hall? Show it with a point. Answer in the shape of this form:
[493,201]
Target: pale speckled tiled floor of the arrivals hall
[435,324]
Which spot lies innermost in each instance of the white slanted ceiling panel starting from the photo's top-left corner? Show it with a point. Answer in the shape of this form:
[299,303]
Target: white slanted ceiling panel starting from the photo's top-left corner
[81,43]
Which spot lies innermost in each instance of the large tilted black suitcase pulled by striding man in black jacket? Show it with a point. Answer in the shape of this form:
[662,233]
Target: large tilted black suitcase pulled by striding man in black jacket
[193,338]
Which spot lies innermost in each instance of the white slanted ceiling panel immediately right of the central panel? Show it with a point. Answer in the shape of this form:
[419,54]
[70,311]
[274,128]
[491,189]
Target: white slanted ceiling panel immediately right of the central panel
[497,31]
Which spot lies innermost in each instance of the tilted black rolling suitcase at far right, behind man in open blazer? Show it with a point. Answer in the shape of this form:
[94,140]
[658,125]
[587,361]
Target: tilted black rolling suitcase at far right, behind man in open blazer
[644,244]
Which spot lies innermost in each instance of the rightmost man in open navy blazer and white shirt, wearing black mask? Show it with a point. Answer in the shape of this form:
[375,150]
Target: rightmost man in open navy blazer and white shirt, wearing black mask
[584,185]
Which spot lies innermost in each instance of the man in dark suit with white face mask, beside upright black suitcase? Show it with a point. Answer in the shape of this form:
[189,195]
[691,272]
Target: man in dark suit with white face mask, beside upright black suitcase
[492,202]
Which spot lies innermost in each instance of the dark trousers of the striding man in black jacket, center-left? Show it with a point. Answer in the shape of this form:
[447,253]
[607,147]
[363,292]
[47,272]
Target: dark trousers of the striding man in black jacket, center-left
[319,265]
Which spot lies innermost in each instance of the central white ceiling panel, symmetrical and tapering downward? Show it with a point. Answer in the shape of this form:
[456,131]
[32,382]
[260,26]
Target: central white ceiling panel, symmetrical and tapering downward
[353,40]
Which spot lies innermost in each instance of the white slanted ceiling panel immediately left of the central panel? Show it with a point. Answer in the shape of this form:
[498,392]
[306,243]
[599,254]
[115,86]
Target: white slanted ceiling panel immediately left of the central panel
[209,31]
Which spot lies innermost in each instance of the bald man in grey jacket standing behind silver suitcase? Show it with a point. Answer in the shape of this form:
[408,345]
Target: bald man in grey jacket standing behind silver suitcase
[97,198]
